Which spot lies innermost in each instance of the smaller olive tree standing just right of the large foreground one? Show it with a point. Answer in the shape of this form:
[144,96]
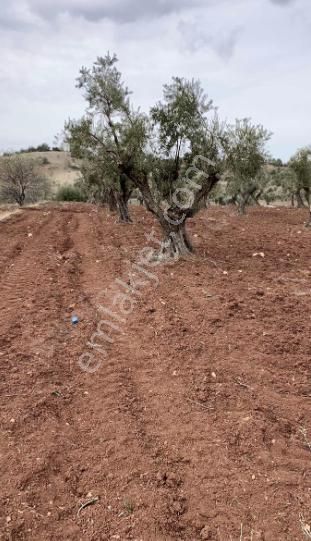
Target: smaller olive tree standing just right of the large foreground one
[246,156]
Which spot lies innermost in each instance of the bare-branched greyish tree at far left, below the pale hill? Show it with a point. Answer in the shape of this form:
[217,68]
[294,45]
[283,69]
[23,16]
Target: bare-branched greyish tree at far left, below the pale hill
[20,180]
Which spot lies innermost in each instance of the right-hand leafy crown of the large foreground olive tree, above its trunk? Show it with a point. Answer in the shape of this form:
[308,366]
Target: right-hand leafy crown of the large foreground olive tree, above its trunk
[181,131]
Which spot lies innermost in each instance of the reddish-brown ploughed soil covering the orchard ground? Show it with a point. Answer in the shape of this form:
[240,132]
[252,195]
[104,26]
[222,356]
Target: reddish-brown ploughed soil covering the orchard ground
[196,424]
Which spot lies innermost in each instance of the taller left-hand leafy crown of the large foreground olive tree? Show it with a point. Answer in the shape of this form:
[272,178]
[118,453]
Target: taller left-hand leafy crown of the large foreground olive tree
[110,133]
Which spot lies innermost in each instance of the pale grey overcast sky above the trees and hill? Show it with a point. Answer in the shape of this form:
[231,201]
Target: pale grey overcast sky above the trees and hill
[252,56]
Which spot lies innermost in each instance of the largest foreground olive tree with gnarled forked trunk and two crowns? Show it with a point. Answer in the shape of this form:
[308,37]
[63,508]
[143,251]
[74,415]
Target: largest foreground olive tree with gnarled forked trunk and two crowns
[174,156]
